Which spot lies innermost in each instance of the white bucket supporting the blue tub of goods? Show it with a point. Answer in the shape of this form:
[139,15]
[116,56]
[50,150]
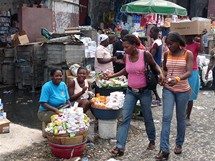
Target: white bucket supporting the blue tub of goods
[107,129]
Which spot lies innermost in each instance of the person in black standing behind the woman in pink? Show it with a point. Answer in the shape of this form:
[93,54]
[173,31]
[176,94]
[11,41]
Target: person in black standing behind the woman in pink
[118,52]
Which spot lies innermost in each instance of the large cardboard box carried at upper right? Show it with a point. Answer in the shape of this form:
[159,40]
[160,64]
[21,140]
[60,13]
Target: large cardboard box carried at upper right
[191,27]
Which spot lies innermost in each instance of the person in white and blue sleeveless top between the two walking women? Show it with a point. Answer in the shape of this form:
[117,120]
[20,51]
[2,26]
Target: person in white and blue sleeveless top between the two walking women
[156,51]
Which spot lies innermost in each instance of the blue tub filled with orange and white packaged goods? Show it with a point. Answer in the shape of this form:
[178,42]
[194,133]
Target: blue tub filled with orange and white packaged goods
[108,107]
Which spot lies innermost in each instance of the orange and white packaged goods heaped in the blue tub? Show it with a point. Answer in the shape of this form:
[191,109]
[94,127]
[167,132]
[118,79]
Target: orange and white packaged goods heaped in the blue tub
[114,101]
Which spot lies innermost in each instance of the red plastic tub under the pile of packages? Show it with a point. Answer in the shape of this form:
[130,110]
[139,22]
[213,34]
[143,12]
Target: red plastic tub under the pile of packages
[67,151]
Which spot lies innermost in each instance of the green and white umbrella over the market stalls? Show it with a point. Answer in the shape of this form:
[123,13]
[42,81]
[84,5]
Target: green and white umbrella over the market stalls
[154,6]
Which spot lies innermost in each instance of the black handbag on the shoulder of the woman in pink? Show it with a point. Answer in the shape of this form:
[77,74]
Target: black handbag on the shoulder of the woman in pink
[151,75]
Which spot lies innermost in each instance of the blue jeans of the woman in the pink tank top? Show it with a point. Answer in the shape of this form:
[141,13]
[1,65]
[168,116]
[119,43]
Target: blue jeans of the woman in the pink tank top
[129,104]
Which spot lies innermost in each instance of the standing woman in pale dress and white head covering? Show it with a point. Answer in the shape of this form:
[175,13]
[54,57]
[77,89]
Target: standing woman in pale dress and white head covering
[103,59]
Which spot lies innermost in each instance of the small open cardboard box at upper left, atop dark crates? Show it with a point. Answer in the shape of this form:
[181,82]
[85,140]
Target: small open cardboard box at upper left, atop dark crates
[19,38]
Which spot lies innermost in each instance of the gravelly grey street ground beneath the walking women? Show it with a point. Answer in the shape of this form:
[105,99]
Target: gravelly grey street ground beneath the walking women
[27,144]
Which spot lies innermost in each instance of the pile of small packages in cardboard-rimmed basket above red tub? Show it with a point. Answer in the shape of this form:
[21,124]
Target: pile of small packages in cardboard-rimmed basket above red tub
[69,127]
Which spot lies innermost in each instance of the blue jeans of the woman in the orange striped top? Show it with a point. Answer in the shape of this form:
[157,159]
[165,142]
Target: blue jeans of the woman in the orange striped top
[169,99]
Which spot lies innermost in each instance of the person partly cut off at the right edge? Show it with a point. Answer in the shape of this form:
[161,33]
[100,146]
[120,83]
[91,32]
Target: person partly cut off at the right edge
[211,66]
